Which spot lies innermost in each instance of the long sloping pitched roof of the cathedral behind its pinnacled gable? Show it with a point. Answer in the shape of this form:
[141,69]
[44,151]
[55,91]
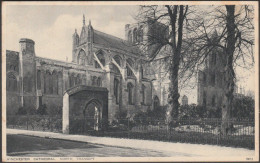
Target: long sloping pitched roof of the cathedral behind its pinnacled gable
[114,42]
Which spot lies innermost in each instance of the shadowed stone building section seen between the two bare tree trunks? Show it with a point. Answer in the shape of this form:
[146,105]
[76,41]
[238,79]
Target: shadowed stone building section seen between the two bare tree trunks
[211,79]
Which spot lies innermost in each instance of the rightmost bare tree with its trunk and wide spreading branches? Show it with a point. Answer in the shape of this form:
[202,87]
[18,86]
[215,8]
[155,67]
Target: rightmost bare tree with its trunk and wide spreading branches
[235,39]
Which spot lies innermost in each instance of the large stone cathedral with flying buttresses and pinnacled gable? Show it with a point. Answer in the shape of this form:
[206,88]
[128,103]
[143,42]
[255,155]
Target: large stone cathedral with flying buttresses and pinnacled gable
[99,60]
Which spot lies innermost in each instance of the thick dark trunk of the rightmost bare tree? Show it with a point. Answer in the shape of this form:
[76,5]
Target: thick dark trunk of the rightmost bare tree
[229,71]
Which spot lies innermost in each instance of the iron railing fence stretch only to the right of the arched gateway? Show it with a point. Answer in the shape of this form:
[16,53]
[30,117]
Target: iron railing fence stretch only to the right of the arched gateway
[199,131]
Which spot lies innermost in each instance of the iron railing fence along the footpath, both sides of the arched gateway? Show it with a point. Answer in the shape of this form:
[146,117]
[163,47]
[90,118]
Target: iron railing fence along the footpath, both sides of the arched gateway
[199,131]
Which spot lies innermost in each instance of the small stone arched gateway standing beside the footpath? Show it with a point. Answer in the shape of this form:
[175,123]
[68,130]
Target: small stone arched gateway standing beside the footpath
[85,103]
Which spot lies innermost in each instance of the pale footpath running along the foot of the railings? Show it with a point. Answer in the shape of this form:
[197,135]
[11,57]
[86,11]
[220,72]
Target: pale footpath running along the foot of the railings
[190,149]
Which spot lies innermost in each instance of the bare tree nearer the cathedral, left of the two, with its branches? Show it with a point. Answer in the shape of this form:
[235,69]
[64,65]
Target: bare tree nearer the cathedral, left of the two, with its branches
[160,19]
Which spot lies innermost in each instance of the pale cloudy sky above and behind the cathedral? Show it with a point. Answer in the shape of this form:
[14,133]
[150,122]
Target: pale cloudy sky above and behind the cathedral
[52,27]
